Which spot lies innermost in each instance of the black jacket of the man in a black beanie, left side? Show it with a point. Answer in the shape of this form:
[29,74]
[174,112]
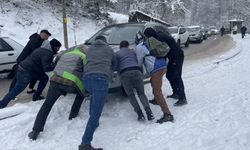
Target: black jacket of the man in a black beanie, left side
[41,60]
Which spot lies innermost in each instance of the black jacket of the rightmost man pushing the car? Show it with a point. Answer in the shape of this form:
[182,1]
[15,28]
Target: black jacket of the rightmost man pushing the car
[175,50]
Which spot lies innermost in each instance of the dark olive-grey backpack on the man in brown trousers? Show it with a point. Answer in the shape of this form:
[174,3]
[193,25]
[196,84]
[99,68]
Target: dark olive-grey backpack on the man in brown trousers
[157,48]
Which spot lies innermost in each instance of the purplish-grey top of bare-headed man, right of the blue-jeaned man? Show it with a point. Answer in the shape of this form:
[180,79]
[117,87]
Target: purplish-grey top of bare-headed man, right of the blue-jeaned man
[126,58]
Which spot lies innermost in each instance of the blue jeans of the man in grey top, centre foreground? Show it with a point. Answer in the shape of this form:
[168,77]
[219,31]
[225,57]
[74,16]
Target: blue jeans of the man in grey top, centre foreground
[97,86]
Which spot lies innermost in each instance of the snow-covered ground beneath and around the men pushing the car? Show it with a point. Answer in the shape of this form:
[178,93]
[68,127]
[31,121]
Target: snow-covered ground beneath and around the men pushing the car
[216,118]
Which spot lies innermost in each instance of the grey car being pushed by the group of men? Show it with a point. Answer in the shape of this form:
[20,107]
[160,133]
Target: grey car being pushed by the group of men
[126,31]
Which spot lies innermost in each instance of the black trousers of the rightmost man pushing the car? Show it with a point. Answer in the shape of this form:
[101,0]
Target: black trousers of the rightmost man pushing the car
[173,75]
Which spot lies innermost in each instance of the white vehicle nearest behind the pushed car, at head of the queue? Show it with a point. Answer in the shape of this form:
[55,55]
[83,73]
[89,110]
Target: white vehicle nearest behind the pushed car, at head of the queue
[180,35]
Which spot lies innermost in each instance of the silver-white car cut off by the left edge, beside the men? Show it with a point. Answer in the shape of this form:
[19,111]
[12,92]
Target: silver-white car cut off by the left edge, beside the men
[9,51]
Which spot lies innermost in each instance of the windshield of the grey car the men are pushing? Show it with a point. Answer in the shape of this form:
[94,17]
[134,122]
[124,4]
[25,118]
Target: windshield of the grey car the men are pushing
[116,34]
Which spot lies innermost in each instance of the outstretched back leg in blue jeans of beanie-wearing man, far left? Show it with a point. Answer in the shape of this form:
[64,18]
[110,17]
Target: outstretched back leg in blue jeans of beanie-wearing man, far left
[22,80]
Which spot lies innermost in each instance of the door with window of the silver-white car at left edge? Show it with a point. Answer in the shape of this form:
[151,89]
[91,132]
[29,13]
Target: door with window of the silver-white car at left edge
[7,56]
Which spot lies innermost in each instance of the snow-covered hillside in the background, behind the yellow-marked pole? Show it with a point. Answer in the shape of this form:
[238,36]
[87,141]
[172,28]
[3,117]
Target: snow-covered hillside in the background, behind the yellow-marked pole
[31,16]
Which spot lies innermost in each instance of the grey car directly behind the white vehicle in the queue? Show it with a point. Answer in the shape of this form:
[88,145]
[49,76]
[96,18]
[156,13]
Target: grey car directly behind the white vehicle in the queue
[195,34]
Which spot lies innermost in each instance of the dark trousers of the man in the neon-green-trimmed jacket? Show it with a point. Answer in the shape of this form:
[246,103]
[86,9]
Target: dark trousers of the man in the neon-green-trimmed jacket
[54,92]
